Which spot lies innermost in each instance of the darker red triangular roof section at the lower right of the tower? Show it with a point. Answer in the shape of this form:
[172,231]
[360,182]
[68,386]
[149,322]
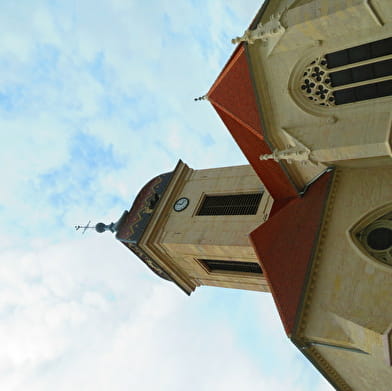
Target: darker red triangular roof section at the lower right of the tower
[284,245]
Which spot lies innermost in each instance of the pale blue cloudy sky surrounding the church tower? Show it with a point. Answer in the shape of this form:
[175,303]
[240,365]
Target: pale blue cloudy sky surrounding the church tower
[96,98]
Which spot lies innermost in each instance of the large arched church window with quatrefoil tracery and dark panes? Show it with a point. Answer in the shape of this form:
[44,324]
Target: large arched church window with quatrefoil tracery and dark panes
[350,75]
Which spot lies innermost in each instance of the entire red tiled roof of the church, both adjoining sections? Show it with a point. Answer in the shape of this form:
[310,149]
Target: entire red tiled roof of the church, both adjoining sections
[284,243]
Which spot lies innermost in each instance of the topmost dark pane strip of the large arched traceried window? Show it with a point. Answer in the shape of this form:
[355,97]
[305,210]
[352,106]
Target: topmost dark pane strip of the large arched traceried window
[364,52]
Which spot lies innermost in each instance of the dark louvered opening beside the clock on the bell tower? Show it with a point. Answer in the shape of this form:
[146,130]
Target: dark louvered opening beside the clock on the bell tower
[236,204]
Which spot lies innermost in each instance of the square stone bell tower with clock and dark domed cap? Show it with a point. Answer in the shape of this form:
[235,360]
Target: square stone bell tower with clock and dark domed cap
[192,226]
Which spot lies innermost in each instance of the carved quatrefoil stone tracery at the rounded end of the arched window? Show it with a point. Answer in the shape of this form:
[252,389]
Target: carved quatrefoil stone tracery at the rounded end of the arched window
[316,83]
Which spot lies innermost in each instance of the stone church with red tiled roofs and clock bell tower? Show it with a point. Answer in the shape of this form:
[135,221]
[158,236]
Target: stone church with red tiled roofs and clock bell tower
[307,96]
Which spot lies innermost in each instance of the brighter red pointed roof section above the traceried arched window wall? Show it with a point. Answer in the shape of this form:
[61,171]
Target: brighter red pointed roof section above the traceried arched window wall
[233,97]
